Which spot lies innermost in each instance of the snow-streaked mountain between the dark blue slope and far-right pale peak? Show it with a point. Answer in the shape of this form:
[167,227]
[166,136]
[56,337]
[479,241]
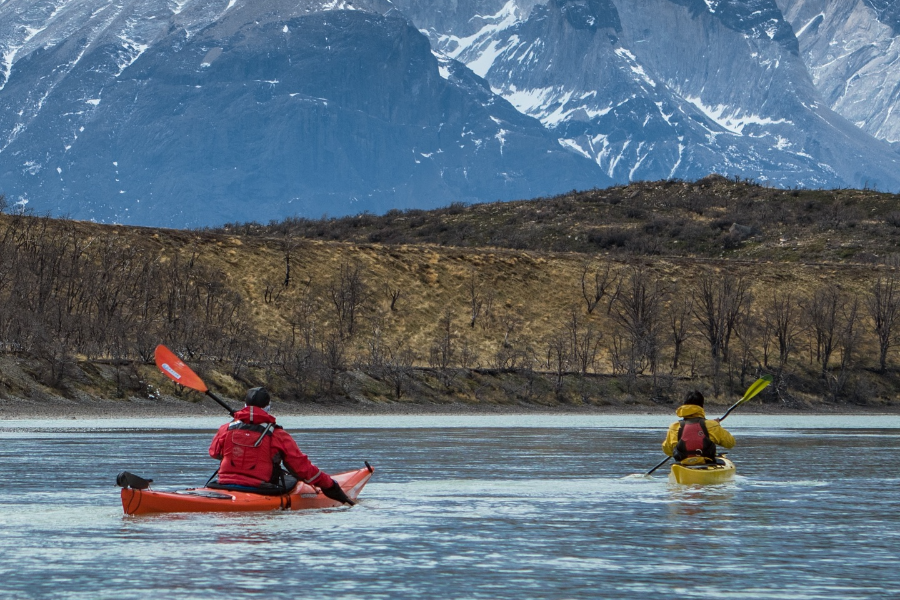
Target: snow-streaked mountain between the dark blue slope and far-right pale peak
[663,88]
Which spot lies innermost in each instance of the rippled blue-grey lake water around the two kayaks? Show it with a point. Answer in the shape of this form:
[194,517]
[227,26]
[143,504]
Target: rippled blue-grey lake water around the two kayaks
[463,507]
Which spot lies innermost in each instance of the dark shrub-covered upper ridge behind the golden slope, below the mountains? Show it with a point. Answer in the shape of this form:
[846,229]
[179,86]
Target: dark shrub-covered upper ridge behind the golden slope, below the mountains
[705,218]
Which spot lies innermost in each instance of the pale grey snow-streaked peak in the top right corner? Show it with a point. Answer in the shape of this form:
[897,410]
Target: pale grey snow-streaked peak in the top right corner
[852,50]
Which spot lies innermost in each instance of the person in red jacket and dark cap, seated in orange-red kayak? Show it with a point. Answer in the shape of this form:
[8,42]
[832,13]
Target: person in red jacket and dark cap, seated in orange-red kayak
[252,448]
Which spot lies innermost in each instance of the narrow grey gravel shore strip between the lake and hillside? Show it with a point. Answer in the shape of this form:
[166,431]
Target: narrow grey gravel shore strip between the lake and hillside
[170,406]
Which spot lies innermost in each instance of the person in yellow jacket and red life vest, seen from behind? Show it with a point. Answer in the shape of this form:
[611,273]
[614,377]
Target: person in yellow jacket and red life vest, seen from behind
[695,435]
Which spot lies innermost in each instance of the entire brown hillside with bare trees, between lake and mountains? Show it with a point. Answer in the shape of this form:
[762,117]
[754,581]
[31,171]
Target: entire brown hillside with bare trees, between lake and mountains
[354,323]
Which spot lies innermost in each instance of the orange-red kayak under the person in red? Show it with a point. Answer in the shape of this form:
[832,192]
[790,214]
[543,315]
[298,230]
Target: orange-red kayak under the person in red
[145,501]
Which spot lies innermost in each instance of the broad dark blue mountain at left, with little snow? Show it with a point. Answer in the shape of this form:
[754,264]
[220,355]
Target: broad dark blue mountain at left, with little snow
[254,114]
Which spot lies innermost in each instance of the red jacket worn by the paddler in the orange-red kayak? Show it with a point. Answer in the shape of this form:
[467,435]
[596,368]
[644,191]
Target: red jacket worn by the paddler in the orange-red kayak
[252,444]
